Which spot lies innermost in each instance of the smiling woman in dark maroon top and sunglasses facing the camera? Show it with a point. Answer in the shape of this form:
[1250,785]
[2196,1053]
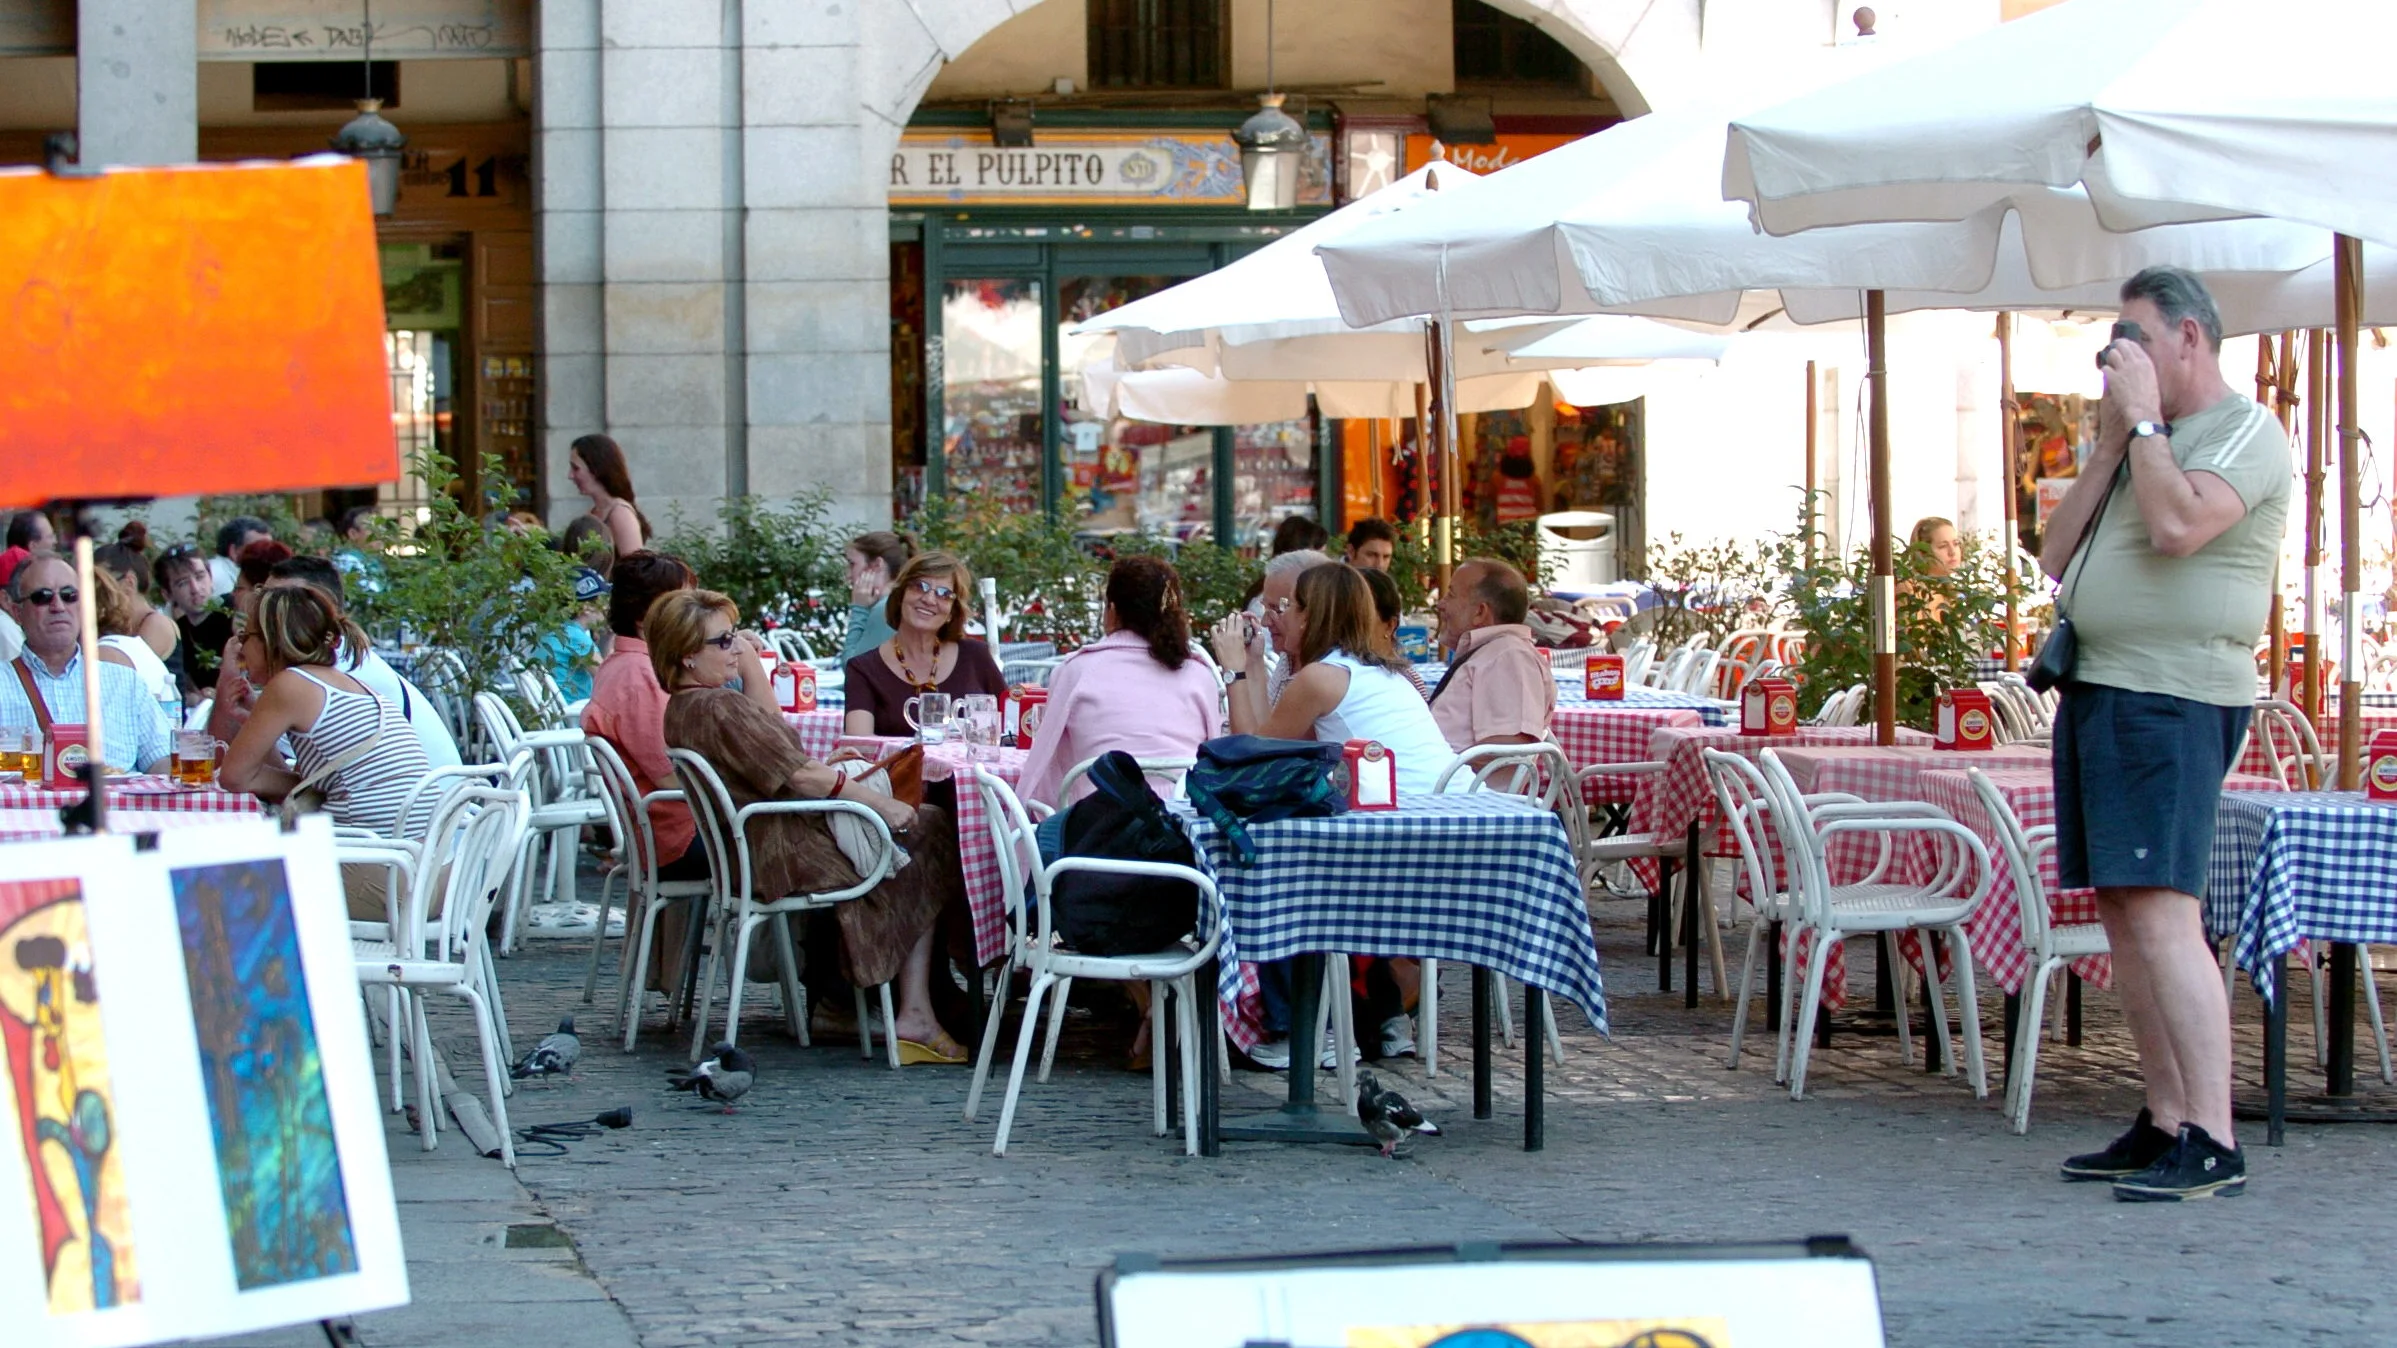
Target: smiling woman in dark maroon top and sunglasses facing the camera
[926,654]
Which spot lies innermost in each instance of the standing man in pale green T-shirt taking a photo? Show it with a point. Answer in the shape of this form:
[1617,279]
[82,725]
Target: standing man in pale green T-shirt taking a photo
[2166,548]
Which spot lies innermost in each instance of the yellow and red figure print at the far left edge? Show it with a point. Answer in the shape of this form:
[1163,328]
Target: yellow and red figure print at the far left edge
[66,1112]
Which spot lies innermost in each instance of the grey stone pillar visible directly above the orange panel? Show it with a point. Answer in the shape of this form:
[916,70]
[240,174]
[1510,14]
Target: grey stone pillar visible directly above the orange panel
[138,80]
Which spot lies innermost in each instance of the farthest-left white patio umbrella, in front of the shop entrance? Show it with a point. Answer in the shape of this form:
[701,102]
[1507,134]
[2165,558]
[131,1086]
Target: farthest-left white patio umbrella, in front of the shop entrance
[1272,318]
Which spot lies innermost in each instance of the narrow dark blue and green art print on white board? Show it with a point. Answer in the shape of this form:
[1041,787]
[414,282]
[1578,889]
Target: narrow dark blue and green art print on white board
[258,1057]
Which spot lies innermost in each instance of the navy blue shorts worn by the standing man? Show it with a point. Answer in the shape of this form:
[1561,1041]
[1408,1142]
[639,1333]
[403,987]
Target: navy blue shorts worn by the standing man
[2139,778]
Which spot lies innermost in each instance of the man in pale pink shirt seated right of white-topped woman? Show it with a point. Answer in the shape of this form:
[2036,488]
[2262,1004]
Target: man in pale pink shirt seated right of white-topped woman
[1499,687]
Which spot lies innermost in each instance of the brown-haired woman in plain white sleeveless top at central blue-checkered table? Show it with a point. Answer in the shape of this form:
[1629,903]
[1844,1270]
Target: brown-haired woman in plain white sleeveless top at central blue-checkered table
[1351,682]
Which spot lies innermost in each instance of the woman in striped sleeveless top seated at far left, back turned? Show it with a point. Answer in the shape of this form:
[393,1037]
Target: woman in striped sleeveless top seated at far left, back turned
[291,654]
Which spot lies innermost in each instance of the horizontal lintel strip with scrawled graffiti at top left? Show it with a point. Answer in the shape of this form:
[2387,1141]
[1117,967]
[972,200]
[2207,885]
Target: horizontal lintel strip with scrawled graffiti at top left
[404,30]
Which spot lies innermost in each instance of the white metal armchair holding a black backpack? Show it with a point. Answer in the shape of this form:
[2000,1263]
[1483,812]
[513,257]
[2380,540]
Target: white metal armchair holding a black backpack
[1032,946]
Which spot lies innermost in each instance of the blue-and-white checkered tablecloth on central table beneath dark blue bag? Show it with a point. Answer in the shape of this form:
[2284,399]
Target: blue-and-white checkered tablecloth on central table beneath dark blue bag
[1480,879]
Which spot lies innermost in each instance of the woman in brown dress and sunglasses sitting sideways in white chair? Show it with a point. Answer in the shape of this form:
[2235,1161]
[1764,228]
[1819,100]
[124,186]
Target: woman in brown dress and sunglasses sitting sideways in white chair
[888,934]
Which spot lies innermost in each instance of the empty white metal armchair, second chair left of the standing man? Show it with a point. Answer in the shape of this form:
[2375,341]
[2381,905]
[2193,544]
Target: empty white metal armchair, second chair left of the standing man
[1837,913]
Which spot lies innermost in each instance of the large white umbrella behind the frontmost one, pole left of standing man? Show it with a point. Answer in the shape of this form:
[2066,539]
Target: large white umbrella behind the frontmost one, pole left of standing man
[1634,222]
